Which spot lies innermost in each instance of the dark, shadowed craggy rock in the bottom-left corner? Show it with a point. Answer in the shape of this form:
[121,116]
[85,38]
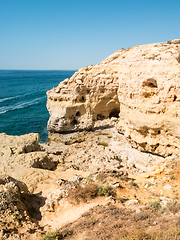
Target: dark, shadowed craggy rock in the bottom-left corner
[15,221]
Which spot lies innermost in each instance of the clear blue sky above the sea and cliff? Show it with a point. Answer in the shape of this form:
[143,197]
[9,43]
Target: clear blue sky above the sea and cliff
[71,34]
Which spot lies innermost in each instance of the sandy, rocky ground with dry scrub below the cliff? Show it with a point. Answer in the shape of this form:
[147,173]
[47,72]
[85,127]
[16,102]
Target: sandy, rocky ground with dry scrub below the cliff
[141,200]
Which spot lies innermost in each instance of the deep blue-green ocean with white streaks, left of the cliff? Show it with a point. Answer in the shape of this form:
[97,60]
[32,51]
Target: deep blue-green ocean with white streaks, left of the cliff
[23,100]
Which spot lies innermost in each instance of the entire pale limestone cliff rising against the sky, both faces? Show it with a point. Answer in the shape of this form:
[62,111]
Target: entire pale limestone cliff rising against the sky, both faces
[140,86]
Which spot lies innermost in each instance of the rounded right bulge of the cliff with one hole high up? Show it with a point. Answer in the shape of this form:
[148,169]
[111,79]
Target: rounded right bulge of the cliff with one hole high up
[149,94]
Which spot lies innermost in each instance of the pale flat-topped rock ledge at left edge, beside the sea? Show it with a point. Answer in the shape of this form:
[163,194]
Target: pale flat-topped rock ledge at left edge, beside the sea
[21,158]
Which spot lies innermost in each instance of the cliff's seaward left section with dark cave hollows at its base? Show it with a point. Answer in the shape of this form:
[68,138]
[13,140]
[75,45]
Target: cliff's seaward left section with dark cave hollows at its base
[85,101]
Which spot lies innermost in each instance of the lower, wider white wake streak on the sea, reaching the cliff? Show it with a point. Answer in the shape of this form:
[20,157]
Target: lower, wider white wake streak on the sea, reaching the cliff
[22,105]
